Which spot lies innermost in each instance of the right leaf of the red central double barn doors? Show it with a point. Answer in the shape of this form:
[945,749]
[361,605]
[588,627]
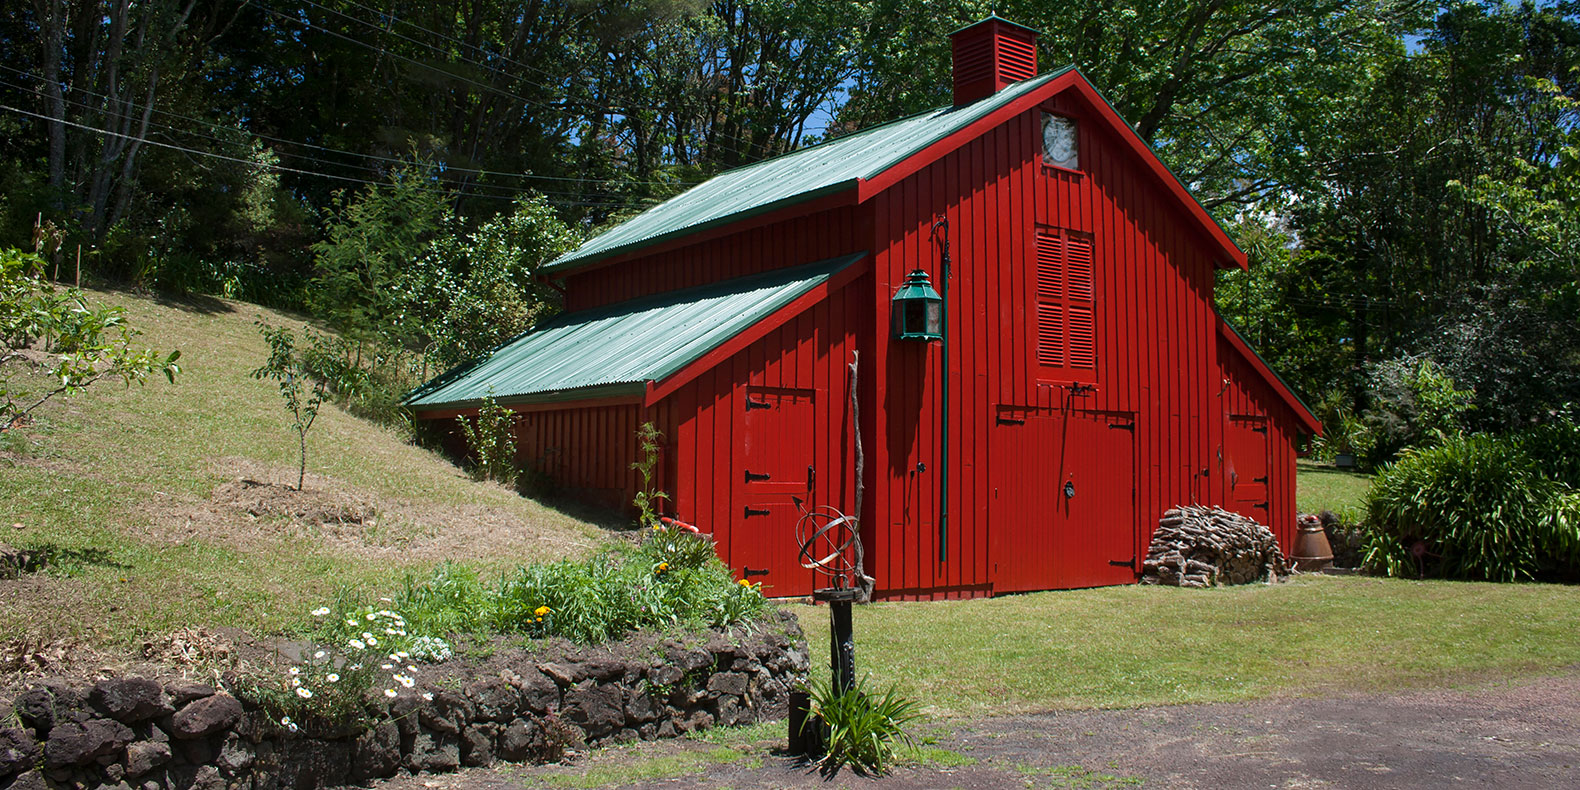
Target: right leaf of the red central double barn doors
[1096,497]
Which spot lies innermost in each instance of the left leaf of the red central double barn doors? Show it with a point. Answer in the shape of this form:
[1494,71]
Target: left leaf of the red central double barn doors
[1025,451]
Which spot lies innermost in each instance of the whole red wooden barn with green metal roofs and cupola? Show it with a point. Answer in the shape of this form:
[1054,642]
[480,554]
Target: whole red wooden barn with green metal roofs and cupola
[1083,383]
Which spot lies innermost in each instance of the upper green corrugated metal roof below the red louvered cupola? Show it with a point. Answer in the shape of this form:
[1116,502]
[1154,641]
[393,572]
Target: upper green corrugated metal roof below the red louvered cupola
[799,176]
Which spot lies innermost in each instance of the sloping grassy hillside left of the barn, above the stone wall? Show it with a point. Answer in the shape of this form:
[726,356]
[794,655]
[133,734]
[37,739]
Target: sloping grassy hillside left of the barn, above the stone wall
[149,506]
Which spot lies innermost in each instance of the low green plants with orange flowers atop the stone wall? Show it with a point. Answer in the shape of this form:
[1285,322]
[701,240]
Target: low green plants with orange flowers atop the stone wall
[664,582]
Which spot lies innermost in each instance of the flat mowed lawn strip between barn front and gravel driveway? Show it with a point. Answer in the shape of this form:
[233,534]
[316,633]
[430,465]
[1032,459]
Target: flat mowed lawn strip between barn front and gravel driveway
[1151,645]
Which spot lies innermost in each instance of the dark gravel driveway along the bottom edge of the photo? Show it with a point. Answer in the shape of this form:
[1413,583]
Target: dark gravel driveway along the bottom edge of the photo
[1513,735]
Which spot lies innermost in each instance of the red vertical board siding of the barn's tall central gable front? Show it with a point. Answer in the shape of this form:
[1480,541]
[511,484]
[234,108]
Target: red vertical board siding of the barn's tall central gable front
[1156,347]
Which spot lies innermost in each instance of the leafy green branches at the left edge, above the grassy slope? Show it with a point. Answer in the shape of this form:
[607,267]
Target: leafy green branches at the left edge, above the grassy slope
[81,345]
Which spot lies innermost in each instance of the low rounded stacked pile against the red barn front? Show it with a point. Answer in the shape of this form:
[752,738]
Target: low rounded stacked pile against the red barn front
[1200,547]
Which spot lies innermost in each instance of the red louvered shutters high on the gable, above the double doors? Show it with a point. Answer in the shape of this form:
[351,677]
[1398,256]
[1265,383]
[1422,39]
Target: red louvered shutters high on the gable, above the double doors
[1066,303]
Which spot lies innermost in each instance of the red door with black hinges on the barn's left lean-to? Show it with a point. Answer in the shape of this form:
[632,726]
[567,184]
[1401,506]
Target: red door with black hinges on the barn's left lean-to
[773,464]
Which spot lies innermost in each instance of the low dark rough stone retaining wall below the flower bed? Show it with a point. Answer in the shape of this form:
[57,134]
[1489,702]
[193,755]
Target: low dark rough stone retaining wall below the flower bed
[175,735]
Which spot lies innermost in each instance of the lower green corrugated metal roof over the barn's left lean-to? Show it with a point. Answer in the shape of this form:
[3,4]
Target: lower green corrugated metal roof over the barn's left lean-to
[617,350]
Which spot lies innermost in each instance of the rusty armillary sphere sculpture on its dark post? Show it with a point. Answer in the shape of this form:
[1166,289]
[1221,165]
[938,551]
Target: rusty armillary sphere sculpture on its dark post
[832,546]
